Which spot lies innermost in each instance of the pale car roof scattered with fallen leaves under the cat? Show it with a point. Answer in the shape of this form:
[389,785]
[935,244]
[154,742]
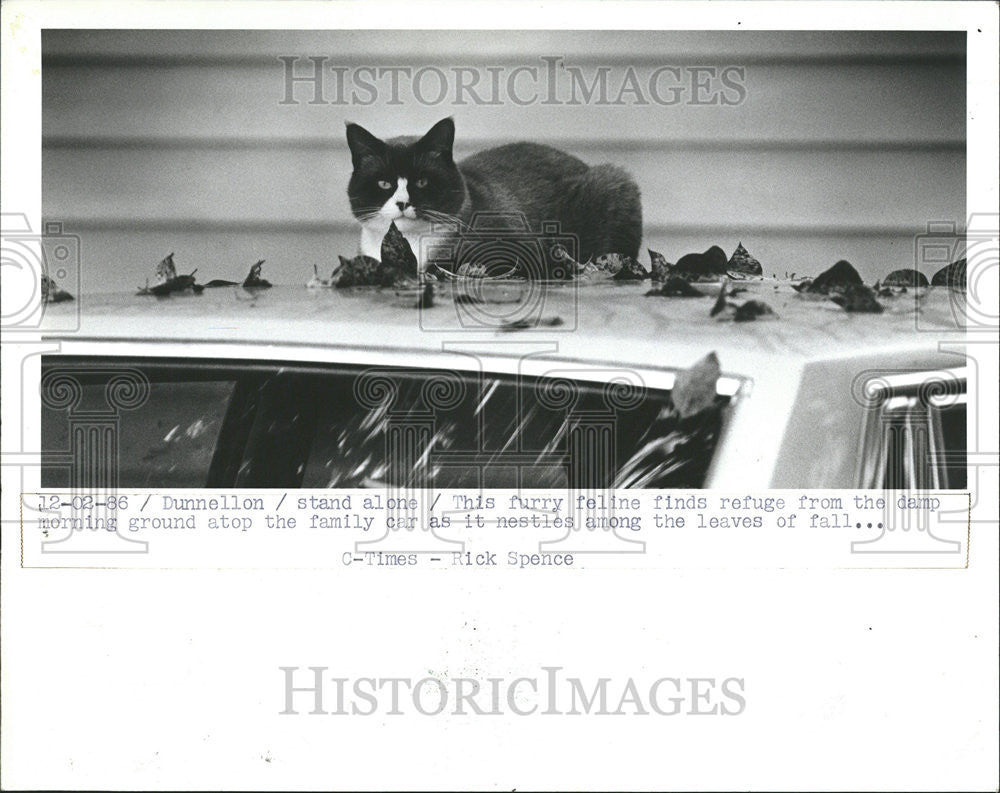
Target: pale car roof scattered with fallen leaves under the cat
[604,321]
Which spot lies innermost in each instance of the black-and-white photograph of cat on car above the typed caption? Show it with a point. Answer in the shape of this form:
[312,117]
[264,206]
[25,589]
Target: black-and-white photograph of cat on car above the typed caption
[311,241]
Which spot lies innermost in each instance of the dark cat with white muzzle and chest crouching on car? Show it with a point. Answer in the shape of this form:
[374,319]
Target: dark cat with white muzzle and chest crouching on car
[416,184]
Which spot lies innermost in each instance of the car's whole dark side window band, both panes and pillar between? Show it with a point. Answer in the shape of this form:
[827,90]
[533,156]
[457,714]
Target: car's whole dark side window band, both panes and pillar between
[261,425]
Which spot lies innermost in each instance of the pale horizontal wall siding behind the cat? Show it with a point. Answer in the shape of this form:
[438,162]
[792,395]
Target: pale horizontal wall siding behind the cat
[846,145]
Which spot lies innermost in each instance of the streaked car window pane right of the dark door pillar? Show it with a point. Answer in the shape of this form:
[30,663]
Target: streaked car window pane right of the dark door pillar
[484,431]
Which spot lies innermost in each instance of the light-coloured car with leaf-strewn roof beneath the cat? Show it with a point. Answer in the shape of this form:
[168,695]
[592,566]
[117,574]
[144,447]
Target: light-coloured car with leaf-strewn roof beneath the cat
[502,384]
